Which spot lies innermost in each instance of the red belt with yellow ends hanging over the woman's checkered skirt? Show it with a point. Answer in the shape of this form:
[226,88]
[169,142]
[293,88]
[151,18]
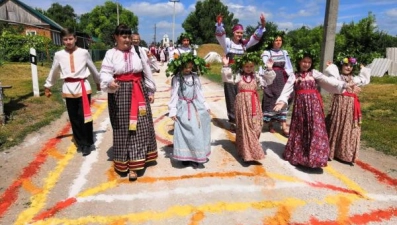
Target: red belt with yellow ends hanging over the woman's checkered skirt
[138,104]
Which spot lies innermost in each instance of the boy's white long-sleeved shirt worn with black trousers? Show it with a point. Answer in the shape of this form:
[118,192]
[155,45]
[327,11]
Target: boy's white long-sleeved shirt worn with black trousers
[78,65]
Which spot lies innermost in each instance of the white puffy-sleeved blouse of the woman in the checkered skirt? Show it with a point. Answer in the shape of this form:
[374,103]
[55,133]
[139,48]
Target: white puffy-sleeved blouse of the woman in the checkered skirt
[118,62]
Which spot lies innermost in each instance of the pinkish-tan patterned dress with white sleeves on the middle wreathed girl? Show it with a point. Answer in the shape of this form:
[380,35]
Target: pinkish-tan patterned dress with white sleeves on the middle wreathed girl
[248,112]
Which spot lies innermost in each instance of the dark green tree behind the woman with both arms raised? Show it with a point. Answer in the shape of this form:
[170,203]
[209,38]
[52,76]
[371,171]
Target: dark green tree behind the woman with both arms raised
[201,22]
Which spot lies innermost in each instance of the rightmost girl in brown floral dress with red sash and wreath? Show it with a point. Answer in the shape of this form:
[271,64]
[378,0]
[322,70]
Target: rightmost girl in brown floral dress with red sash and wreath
[344,119]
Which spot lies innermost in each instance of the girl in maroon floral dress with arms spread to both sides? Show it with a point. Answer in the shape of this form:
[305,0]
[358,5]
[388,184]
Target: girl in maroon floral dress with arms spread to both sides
[308,141]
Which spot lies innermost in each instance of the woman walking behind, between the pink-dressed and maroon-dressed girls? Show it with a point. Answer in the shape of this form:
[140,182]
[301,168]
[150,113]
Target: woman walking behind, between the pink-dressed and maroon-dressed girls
[282,68]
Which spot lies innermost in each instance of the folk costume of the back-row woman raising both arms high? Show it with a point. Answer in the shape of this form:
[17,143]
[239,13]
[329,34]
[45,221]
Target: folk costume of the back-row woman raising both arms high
[231,50]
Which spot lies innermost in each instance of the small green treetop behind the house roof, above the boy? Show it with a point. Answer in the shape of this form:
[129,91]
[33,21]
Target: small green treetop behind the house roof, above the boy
[63,15]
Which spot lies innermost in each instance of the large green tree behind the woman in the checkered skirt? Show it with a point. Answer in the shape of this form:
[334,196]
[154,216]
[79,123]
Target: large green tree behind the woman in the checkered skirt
[102,21]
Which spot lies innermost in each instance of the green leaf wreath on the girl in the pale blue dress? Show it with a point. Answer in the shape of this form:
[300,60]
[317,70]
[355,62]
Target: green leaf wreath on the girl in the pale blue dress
[176,65]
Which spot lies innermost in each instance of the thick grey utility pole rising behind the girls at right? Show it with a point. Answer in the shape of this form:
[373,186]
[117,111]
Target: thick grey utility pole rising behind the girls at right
[328,45]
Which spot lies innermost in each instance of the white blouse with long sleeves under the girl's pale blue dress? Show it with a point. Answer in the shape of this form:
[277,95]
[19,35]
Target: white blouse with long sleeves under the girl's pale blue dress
[172,105]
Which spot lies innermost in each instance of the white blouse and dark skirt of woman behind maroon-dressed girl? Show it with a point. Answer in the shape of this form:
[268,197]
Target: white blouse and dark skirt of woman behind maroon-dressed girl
[282,67]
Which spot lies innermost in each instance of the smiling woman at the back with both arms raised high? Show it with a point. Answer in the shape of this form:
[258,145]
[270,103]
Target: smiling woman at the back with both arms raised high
[233,47]
